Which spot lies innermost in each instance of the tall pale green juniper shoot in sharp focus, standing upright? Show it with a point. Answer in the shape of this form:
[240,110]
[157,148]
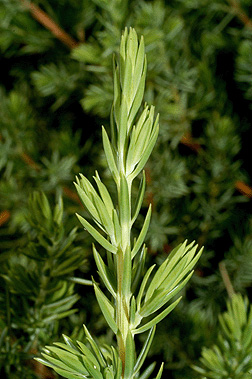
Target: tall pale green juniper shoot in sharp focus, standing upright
[131,297]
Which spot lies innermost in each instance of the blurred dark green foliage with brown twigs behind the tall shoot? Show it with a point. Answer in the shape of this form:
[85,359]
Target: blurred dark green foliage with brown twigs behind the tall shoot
[56,92]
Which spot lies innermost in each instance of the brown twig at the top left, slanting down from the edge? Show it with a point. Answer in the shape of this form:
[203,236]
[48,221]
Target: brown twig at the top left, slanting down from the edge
[49,24]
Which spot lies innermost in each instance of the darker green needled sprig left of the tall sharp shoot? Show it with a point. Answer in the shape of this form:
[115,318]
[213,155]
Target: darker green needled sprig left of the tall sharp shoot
[37,283]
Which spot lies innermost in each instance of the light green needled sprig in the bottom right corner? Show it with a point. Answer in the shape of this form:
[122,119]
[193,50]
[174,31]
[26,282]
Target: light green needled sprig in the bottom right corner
[232,355]
